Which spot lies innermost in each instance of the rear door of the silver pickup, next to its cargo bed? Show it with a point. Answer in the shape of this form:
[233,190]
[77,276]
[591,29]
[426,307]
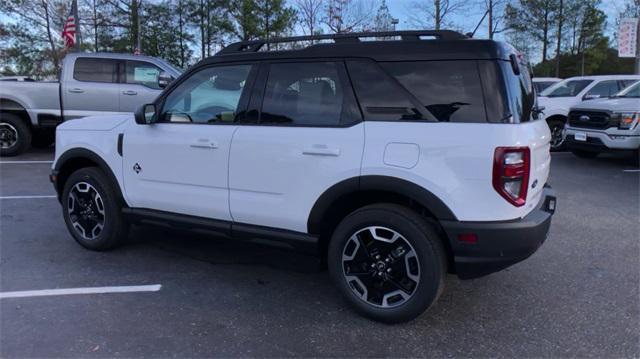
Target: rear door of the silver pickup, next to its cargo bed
[92,88]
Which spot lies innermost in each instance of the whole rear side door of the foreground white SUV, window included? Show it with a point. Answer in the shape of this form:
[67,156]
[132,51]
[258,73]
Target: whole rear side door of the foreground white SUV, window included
[307,136]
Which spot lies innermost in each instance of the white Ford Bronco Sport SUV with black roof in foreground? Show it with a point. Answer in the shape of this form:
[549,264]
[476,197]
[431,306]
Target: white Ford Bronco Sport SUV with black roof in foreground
[397,160]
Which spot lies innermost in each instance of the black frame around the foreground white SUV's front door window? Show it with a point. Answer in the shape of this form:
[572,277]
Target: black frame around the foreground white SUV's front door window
[243,103]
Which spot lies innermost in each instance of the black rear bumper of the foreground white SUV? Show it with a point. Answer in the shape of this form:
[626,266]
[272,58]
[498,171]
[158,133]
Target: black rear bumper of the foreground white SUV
[500,244]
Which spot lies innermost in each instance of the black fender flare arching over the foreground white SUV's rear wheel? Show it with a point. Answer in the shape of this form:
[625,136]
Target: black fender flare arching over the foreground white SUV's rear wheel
[377,183]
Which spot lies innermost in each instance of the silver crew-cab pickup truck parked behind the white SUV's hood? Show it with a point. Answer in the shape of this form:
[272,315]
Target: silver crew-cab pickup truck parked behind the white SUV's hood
[90,84]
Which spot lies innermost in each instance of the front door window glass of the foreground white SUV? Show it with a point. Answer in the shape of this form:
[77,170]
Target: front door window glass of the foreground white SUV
[208,96]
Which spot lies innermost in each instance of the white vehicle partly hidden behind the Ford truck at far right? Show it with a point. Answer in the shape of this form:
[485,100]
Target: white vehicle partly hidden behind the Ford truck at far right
[559,98]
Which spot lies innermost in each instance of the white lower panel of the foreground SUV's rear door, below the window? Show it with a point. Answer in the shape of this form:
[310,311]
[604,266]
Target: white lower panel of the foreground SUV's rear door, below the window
[276,174]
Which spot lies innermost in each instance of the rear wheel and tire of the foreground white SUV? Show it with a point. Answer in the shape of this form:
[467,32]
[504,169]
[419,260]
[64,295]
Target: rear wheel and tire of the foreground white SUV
[423,259]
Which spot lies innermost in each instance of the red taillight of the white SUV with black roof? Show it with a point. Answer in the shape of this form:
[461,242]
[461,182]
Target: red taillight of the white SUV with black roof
[511,173]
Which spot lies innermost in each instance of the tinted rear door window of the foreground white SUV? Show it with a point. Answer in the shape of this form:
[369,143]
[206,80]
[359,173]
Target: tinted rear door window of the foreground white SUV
[306,94]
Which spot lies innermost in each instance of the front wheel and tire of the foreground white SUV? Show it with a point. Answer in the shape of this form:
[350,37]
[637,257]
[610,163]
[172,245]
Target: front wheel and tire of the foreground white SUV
[86,185]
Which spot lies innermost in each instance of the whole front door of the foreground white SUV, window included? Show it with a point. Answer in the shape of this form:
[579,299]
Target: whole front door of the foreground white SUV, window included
[180,163]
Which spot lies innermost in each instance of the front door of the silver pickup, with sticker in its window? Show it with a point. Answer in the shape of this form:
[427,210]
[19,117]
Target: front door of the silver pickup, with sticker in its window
[139,84]
